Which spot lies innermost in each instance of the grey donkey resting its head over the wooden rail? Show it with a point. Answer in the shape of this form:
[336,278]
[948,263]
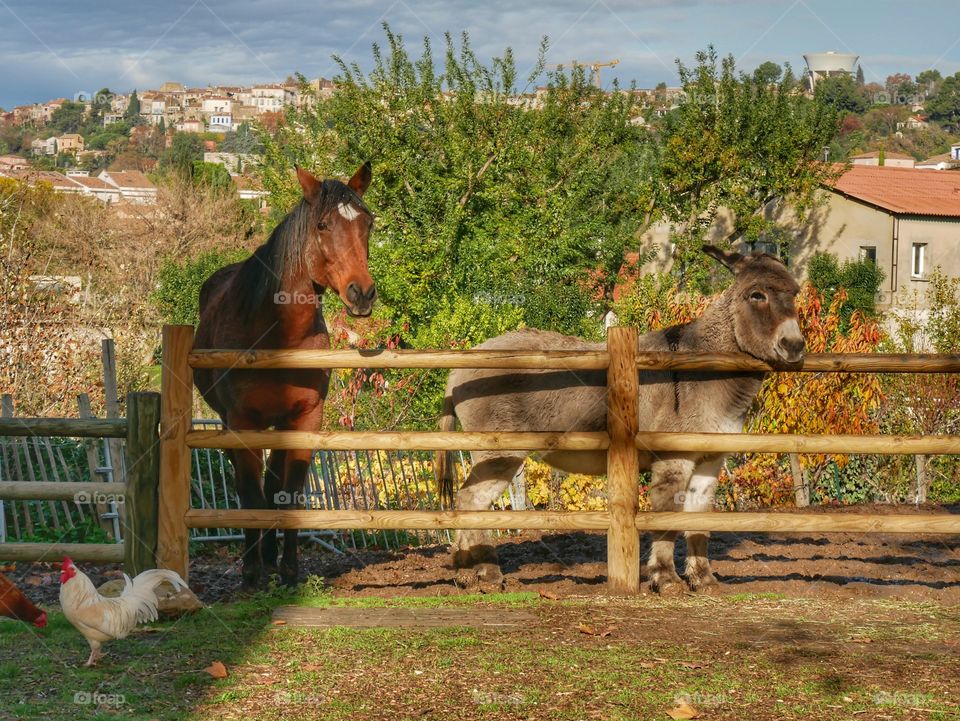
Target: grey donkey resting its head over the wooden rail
[756,315]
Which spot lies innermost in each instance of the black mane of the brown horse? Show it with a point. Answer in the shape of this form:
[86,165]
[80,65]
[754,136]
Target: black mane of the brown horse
[278,260]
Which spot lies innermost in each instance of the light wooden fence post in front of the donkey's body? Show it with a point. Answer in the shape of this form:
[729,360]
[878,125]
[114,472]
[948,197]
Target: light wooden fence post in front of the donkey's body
[623,467]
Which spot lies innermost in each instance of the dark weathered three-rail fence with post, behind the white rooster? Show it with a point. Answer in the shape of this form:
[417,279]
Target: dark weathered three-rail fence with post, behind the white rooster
[138,494]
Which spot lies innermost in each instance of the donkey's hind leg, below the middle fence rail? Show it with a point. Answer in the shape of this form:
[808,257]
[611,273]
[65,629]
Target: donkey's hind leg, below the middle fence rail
[473,551]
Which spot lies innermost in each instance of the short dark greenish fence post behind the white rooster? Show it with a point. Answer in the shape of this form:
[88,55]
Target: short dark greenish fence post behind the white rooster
[143,480]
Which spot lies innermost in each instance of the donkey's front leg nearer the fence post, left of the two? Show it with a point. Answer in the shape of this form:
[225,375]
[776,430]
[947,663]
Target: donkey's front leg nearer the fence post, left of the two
[669,477]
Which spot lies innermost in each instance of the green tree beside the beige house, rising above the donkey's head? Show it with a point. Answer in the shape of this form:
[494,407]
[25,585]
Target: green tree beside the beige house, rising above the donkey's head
[738,145]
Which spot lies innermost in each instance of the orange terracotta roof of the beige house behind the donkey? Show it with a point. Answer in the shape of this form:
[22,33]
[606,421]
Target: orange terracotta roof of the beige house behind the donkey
[907,191]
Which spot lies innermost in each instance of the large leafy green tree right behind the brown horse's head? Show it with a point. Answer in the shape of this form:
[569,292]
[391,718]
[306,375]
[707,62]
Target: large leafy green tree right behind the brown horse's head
[493,208]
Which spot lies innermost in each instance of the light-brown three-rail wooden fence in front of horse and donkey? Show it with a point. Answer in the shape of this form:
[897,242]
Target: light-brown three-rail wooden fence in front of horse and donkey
[622,521]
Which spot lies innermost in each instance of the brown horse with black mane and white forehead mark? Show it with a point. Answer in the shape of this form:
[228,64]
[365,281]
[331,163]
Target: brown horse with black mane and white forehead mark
[273,300]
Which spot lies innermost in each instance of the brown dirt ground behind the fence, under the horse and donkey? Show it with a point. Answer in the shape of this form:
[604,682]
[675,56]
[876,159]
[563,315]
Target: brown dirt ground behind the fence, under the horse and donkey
[801,565]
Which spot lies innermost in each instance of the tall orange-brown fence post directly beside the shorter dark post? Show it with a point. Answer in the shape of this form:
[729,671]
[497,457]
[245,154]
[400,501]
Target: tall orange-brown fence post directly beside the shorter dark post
[176,408]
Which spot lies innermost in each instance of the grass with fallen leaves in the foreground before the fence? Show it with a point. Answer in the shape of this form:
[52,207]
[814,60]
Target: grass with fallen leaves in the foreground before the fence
[658,652]
